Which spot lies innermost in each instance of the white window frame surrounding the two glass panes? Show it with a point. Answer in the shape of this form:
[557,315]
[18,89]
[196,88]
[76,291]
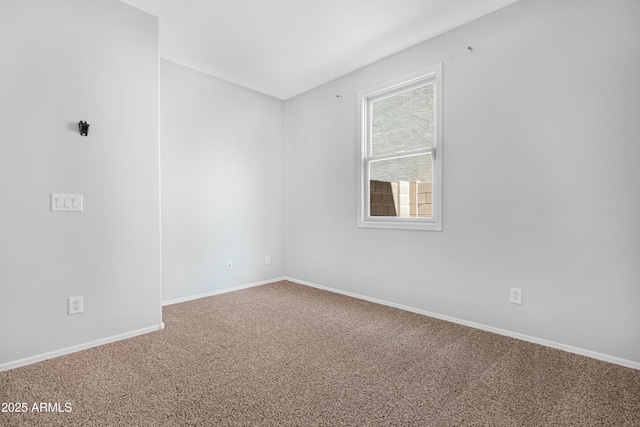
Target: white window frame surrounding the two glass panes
[365,98]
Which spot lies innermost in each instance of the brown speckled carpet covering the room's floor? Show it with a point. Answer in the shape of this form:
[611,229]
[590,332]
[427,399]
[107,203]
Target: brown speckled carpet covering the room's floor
[288,355]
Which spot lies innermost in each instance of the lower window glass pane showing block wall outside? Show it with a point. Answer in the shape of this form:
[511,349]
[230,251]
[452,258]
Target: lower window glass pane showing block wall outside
[401,187]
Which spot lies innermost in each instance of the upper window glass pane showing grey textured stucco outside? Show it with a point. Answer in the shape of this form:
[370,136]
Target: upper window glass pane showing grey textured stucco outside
[403,122]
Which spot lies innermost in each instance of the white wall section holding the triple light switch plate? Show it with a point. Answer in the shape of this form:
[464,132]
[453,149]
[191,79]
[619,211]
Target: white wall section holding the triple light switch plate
[61,62]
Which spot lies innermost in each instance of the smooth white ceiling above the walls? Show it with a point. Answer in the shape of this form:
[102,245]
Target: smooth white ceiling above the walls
[285,47]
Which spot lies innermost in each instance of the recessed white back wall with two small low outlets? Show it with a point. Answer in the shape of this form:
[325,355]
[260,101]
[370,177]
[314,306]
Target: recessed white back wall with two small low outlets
[222,184]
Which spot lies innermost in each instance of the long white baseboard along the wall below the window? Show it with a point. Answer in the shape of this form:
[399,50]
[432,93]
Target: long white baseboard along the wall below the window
[535,340]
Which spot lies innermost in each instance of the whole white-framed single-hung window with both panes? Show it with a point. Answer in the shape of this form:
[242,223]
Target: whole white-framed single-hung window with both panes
[400,162]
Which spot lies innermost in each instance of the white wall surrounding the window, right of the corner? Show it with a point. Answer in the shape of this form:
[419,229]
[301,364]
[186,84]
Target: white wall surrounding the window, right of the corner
[540,179]
